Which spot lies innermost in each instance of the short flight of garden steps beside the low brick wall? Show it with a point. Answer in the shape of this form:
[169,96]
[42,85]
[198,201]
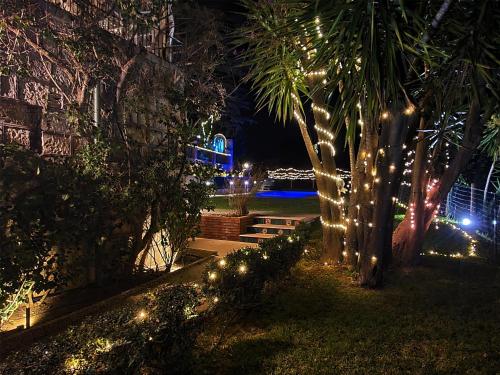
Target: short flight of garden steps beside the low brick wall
[265,227]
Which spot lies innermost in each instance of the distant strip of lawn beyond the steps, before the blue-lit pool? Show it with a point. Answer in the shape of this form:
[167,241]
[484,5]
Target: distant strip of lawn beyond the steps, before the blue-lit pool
[285,206]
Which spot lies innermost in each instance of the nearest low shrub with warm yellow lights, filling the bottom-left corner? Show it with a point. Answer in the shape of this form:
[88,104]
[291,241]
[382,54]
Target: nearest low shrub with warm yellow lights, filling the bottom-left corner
[154,334]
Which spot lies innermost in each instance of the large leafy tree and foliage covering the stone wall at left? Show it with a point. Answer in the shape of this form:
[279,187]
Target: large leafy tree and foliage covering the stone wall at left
[131,179]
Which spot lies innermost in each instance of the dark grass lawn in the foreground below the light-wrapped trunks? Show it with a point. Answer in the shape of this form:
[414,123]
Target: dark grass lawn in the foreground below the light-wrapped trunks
[443,317]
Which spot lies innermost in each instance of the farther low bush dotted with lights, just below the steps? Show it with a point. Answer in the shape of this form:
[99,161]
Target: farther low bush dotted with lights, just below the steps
[238,280]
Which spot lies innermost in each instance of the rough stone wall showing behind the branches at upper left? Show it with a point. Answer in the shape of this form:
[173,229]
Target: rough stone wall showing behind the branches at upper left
[49,133]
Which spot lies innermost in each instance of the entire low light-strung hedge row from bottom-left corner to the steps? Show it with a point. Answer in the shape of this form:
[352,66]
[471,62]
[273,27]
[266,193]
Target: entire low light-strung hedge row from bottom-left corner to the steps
[157,330]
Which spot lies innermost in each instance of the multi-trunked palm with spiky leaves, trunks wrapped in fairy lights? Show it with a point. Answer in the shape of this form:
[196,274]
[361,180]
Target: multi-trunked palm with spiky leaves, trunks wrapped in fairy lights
[383,69]
